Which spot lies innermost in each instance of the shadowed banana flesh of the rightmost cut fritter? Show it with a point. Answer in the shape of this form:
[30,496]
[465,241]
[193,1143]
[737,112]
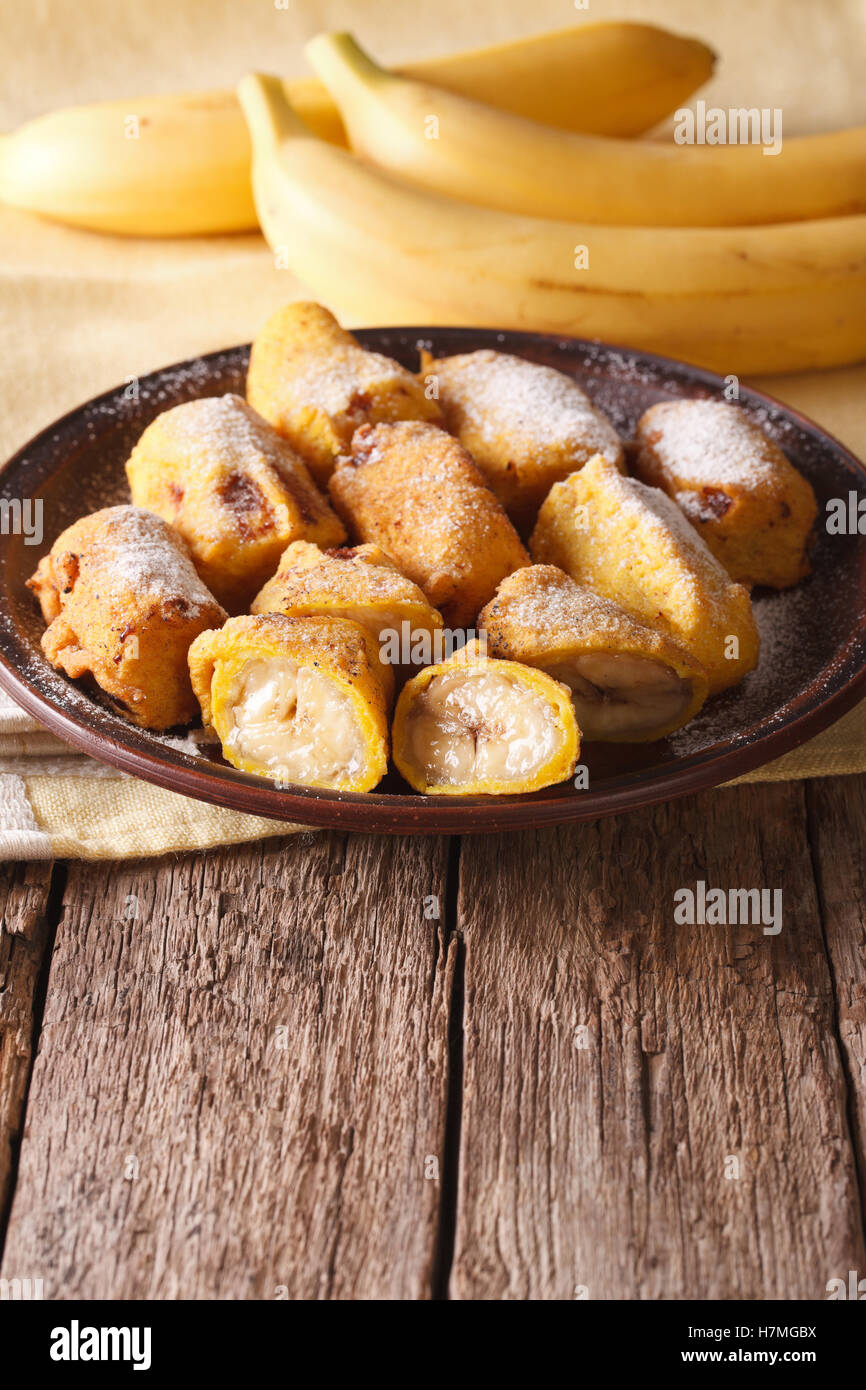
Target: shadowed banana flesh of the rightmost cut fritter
[622,698]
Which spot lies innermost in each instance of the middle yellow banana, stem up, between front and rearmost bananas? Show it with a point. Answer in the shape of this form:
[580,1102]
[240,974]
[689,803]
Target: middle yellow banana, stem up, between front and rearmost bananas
[465,149]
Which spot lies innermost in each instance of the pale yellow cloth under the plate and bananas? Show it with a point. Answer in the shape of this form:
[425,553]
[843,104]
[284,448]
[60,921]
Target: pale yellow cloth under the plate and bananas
[80,312]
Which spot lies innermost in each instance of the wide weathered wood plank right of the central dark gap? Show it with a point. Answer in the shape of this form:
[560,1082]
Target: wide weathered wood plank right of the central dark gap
[616,1064]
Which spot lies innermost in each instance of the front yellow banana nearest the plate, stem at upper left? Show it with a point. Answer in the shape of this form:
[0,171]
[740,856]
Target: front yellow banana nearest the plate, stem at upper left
[735,300]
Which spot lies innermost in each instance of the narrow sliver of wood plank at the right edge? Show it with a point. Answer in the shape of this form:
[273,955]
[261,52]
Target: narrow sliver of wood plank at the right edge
[838,828]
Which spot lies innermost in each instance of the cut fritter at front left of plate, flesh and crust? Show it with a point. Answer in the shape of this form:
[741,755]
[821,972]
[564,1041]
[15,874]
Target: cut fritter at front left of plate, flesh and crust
[298,700]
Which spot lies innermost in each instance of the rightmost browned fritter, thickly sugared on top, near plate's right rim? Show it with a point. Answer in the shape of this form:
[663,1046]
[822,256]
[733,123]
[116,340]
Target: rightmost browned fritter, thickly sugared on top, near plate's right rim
[735,484]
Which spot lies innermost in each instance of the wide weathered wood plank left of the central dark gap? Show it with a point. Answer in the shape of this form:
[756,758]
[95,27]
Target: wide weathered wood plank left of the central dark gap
[243,1078]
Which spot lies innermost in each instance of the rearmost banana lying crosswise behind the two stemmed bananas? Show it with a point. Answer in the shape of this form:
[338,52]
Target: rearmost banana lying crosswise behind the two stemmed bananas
[184,169]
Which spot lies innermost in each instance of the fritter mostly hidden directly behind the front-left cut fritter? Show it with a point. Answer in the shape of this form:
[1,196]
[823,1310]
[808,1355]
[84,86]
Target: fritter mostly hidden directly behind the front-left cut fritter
[359,583]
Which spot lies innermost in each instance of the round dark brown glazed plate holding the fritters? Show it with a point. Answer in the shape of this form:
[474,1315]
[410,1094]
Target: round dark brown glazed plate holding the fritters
[814,637]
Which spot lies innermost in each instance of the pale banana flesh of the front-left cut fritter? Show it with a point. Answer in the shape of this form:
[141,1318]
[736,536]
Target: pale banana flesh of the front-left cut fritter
[294,723]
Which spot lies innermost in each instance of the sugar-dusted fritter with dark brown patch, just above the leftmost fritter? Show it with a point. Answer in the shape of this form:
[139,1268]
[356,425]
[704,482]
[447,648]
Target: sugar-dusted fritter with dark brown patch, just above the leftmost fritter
[236,491]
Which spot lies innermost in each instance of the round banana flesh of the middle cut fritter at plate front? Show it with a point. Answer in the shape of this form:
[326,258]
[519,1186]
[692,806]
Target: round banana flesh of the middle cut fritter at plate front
[476,726]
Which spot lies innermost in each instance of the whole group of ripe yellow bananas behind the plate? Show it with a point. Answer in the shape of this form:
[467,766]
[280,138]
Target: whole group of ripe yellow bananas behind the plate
[500,188]
